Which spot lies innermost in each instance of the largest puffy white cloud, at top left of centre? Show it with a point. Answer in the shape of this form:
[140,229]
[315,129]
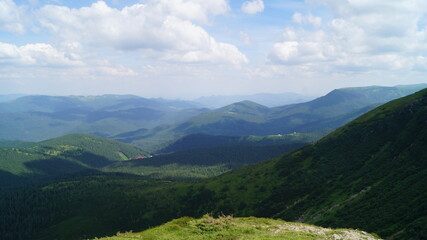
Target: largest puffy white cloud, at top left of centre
[164,28]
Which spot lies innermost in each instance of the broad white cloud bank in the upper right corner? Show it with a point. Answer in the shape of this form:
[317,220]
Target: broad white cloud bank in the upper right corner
[361,36]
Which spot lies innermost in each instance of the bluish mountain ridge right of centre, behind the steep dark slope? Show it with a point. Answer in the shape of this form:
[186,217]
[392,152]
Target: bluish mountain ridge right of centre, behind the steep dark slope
[248,118]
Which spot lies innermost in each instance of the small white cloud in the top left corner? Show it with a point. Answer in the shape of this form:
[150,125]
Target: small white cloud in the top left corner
[11,17]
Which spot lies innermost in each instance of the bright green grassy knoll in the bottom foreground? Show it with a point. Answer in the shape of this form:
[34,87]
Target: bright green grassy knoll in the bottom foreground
[227,227]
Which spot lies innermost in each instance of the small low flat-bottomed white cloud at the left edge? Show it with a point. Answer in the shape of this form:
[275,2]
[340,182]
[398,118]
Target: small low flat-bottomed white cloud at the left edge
[38,54]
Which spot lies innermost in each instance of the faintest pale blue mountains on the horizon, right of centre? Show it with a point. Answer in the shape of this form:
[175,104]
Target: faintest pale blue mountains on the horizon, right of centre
[266,99]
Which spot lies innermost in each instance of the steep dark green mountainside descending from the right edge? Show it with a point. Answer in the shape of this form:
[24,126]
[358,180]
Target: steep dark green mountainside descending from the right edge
[367,174]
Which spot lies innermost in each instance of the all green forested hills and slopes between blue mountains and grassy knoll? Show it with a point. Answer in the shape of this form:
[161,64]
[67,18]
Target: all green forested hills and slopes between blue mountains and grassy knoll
[369,174]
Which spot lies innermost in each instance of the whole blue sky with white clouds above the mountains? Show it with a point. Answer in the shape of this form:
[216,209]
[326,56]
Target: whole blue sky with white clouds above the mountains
[190,48]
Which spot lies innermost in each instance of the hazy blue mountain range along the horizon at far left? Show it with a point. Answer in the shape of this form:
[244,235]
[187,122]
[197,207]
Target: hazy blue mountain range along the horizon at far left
[36,118]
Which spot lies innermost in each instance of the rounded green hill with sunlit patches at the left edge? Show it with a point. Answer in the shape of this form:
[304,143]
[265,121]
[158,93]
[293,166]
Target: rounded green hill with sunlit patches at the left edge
[60,156]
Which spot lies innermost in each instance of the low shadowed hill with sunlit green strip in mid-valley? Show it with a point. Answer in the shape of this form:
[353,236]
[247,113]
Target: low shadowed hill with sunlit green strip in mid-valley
[200,162]
